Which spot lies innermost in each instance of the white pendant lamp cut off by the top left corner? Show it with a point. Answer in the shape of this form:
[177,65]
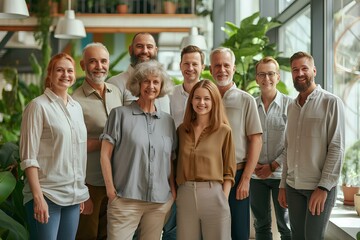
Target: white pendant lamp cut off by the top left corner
[13,9]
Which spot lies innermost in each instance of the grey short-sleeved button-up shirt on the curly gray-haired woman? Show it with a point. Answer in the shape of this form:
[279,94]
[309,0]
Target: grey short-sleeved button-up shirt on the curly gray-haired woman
[143,147]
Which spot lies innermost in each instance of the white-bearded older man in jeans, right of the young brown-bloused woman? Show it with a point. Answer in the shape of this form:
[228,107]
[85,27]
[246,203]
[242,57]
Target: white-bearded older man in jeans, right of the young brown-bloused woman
[243,116]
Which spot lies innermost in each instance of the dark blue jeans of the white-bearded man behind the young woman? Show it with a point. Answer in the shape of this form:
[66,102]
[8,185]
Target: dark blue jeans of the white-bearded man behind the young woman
[240,213]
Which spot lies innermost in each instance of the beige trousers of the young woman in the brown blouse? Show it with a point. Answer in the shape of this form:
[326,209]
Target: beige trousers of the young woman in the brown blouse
[203,212]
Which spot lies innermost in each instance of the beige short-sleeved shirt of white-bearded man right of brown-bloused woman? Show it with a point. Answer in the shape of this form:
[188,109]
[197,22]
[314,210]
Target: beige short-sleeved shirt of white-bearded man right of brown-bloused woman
[244,119]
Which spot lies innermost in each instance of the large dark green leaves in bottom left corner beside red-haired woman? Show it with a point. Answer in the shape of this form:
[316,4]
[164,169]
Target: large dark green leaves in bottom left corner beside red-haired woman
[13,223]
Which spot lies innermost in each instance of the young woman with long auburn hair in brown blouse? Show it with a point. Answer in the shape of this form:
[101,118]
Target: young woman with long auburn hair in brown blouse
[205,167]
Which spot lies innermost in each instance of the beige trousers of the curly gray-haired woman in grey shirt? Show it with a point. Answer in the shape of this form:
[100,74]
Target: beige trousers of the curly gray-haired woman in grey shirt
[127,215]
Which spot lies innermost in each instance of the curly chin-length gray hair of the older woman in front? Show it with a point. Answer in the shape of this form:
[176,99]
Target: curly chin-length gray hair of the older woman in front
[142,72]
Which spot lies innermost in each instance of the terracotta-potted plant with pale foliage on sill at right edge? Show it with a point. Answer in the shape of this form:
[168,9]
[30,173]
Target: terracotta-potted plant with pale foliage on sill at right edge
[350,173]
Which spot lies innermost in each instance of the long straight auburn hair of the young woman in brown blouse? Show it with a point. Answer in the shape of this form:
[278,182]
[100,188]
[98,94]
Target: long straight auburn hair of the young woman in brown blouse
[217,113]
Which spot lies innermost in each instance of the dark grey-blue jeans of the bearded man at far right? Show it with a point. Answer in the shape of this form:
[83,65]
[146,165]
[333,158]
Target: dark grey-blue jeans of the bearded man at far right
[303,224]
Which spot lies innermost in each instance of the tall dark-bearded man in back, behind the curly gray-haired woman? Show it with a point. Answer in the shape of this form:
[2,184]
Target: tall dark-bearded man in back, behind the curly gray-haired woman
[143,48]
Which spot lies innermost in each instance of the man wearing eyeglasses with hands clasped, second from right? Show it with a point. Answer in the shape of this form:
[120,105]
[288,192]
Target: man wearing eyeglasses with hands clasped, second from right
[272,107]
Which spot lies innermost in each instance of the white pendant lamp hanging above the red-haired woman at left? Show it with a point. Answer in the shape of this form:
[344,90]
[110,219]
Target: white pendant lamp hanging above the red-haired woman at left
[68,27]
